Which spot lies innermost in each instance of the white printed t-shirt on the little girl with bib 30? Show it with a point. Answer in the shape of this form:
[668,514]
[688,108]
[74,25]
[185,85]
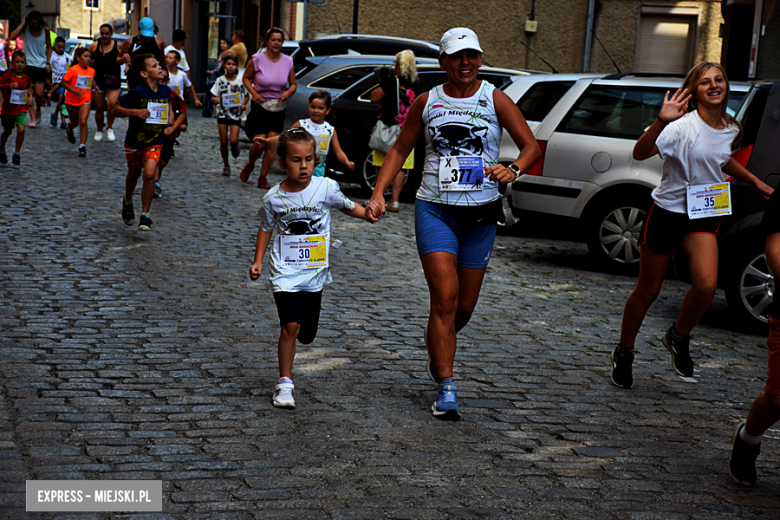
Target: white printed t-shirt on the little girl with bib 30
[306,212]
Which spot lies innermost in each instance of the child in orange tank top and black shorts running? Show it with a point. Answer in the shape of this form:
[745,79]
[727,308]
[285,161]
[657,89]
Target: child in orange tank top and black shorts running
[77,83]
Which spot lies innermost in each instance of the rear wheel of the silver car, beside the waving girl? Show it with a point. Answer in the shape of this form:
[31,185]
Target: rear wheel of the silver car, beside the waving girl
[613,229]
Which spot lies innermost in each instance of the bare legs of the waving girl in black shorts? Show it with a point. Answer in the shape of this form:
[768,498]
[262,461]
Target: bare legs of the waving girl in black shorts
[701,250]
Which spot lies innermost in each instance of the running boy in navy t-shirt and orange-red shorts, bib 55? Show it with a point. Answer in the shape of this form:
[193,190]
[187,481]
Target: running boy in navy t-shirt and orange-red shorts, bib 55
[148,107]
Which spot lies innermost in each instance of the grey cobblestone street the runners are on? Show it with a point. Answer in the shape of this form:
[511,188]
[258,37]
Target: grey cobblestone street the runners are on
[130,355]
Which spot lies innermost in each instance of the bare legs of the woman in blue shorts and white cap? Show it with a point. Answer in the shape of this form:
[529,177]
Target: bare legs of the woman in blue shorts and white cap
[454,292]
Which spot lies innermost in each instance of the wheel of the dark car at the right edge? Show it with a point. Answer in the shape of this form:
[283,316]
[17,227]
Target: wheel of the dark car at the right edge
[750,287]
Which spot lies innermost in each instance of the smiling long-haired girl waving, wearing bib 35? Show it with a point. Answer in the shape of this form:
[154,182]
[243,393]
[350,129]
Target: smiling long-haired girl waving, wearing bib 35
[695,136]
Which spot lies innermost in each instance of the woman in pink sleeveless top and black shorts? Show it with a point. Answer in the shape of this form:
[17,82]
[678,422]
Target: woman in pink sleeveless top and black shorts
[266,77]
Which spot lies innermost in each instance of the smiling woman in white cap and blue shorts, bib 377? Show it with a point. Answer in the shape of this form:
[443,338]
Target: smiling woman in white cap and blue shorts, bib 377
[458,202]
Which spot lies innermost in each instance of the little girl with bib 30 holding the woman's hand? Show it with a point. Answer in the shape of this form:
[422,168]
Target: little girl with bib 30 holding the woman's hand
[298,209]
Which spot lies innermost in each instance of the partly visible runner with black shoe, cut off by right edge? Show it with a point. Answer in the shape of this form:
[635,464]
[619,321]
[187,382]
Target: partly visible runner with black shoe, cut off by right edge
[766,408]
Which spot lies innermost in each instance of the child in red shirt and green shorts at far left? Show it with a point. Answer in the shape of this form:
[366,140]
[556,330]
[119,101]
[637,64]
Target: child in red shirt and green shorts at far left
[17,94]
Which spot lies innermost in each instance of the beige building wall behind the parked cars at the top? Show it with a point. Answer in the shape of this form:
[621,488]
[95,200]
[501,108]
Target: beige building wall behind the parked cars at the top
[560,38]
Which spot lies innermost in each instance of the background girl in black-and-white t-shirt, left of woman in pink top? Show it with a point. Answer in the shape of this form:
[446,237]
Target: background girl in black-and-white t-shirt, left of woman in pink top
[229,97]
